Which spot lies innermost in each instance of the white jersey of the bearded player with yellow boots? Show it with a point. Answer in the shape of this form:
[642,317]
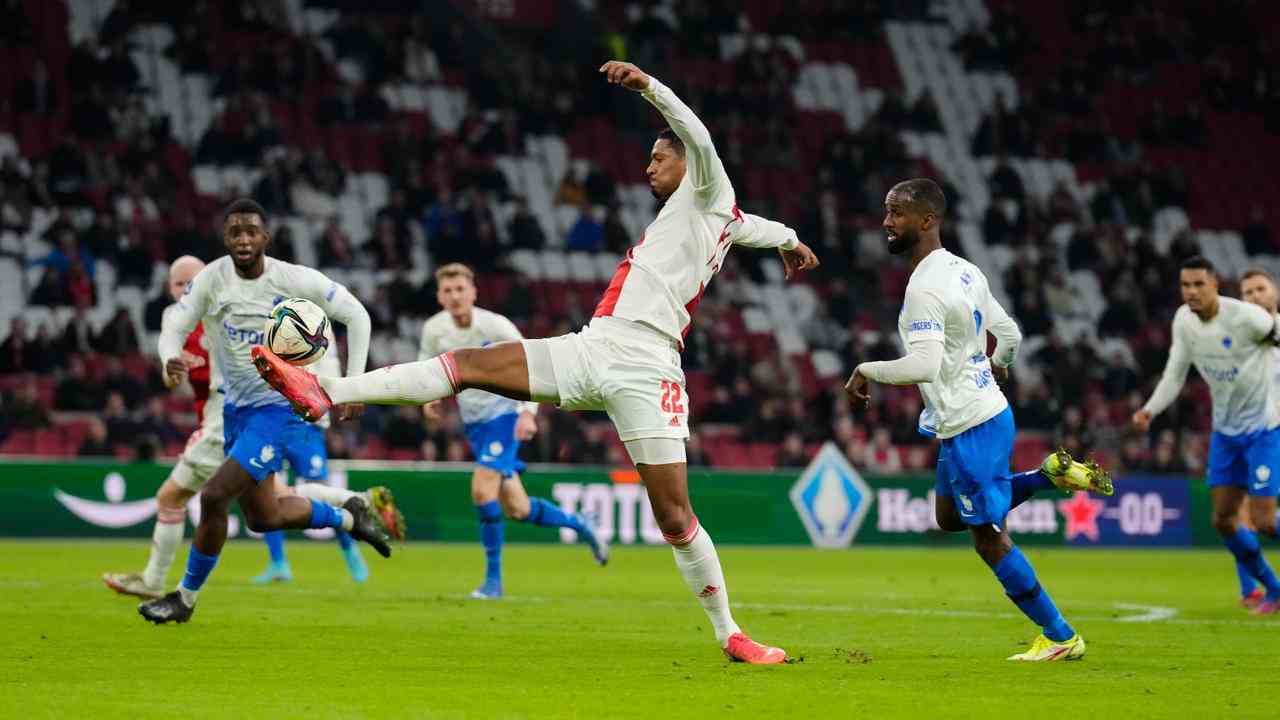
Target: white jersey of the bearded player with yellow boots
[950,307]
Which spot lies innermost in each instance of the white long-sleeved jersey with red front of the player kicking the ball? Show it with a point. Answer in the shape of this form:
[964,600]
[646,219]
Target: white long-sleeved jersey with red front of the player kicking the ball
[662,279]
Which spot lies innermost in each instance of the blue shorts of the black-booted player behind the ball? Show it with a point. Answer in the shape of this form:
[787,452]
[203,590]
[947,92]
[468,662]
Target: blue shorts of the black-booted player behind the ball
[262,439]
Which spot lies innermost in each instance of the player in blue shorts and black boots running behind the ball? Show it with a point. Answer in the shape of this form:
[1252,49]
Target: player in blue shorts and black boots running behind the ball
[234,297]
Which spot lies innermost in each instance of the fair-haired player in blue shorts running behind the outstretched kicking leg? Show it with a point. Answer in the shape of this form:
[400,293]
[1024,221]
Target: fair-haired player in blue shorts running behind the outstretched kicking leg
[496,426]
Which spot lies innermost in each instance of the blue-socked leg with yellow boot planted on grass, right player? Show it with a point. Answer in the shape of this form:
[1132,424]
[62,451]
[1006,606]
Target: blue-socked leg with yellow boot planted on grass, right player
[1058,641]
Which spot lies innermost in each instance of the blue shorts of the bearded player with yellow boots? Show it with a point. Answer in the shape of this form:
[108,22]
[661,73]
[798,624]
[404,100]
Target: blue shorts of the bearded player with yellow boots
[973,470]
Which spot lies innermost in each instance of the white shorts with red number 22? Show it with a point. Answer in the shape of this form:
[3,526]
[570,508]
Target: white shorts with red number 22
[627,370]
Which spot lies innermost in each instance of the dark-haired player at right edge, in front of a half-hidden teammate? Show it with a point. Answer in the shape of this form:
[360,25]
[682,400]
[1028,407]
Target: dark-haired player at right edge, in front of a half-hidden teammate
[1232,345]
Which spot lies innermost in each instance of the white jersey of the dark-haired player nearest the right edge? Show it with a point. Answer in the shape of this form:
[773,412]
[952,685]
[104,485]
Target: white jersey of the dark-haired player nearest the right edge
[1233,353]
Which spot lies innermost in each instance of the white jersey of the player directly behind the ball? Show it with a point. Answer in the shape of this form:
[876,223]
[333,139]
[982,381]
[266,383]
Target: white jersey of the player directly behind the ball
[235,311]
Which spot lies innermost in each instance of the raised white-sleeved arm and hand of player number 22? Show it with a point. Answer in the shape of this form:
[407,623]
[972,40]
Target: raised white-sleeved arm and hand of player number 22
[705,167]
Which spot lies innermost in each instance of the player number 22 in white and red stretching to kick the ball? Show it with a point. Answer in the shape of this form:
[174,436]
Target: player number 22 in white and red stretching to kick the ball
[627,362]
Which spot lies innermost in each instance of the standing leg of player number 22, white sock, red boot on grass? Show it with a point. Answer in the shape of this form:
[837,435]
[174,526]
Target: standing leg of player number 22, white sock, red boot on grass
[698,562]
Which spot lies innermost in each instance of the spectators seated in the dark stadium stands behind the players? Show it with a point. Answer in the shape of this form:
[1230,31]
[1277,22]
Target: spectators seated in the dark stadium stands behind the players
[118,184]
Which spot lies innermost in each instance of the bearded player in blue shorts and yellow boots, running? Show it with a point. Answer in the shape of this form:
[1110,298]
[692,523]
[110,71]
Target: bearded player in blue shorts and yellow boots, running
[947,316]
